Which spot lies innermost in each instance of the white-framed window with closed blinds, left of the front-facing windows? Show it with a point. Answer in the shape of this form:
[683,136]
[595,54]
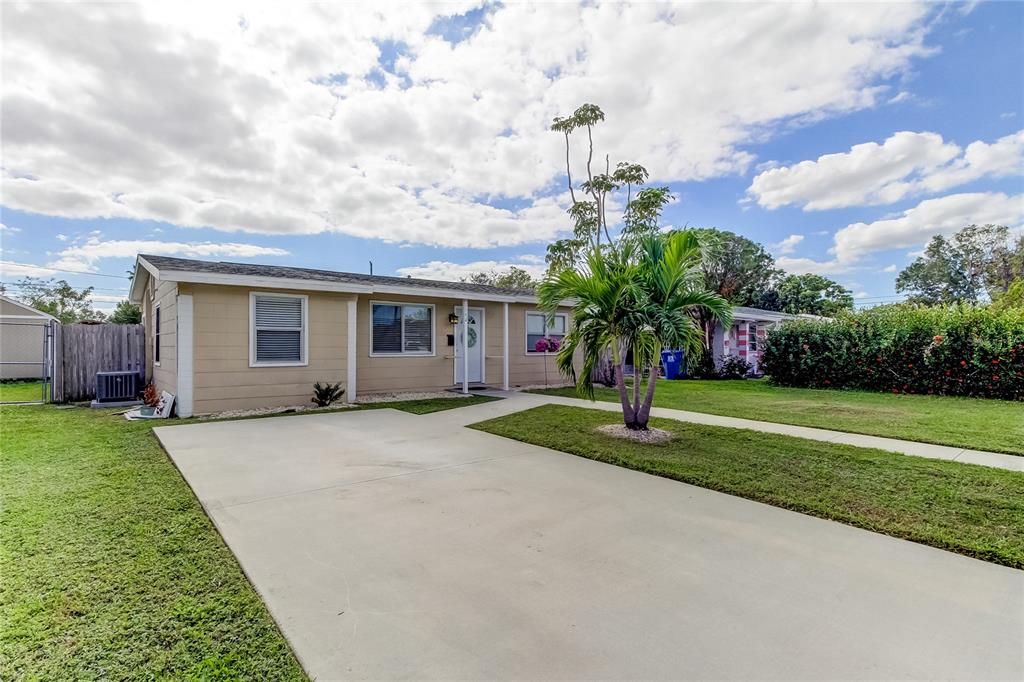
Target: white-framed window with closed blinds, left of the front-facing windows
[279,329]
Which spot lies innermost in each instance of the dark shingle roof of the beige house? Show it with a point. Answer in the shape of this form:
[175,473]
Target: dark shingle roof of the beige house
[223,268]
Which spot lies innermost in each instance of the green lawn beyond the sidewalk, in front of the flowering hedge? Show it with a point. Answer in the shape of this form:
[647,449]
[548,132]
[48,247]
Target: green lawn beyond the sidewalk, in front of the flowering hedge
[978,424]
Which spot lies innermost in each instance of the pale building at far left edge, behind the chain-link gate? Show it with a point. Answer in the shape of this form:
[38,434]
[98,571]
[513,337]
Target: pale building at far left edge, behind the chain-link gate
[23,332]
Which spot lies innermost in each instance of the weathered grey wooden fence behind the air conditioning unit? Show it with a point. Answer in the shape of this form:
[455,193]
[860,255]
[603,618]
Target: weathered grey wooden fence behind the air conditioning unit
[82,351]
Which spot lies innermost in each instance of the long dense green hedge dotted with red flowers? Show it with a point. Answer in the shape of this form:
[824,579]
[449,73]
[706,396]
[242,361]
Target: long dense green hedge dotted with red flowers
[956,351]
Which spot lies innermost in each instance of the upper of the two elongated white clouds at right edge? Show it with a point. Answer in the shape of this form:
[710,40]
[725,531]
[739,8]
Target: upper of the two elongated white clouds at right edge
[905,165]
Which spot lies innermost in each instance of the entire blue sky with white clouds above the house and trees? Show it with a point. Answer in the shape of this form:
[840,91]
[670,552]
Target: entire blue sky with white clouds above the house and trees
[418,137]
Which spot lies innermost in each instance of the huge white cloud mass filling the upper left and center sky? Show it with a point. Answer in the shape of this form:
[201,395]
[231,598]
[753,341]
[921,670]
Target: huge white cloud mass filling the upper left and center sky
[298,138]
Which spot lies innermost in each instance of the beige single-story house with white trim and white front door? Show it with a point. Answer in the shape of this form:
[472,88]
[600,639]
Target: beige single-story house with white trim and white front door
[233,336]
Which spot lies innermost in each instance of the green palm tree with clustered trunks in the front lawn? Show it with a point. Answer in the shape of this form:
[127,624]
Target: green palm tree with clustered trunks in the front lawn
[642,296]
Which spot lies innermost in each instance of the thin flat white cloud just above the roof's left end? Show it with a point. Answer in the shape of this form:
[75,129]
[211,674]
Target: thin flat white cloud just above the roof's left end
[84,257]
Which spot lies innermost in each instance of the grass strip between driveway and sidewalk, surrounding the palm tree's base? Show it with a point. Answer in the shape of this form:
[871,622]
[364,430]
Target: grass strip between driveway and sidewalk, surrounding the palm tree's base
[970,509]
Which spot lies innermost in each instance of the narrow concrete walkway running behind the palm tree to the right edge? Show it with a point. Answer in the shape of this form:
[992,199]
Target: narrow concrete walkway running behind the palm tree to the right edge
[518,402]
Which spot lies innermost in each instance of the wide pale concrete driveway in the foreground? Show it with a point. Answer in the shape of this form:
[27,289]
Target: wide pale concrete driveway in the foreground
[391,545]
